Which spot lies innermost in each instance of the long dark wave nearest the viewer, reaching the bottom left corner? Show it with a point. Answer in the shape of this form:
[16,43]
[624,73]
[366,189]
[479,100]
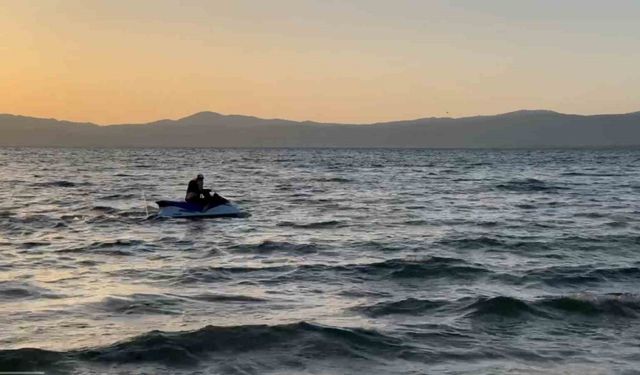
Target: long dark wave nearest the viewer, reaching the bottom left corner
[178,349]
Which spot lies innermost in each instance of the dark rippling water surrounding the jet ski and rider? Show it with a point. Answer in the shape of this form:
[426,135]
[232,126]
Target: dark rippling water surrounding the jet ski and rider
[352,261]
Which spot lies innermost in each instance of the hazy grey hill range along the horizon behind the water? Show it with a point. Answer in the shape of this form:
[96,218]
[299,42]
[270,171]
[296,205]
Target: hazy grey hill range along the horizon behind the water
[521,129]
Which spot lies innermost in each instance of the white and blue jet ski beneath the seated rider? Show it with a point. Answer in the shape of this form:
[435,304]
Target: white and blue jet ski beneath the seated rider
[216,207]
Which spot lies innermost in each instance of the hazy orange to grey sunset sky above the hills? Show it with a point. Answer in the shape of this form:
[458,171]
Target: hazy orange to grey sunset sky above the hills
[344,61]
